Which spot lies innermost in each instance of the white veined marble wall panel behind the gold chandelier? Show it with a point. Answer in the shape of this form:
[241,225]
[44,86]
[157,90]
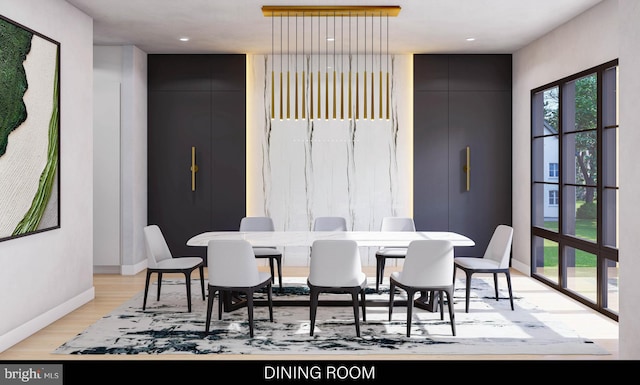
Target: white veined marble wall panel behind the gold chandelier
[299,169]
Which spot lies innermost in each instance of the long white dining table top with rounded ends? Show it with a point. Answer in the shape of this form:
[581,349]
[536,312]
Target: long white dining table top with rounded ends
[306,238]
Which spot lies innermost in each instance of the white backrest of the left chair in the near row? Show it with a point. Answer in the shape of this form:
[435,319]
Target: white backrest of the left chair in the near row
[232,263]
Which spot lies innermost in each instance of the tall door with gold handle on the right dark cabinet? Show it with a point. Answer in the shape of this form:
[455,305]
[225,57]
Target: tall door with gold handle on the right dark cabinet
[480,120]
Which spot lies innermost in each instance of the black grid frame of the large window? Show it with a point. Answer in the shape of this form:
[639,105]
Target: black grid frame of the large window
[606,254]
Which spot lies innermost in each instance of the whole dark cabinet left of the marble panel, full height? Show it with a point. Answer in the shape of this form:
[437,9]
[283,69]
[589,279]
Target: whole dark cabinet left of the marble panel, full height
[196,109]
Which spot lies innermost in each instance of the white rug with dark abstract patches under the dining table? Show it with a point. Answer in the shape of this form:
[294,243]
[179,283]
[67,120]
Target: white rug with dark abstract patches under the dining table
[165,327]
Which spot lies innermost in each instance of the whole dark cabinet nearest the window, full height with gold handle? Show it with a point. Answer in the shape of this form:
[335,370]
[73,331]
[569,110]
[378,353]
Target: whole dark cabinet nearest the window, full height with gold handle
[462,101]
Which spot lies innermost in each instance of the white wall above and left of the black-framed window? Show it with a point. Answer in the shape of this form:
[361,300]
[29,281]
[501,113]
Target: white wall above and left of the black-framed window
[584,42]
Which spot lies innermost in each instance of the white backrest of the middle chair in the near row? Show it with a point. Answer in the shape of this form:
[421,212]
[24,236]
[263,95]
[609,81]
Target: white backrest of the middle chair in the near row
[335,262]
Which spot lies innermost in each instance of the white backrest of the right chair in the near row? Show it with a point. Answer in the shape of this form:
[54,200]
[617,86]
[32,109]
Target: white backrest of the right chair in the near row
[429,262]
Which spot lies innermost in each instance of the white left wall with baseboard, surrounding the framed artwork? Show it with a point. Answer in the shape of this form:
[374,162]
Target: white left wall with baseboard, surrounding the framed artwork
[47,275]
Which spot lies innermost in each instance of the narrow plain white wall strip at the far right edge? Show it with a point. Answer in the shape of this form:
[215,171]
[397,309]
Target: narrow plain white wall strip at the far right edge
[629,78]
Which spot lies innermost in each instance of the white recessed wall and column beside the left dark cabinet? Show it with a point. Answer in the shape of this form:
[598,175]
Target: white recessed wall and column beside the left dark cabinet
[120,124]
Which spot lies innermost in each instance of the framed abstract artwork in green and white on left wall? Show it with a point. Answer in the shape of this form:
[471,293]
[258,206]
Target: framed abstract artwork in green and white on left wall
[29,131]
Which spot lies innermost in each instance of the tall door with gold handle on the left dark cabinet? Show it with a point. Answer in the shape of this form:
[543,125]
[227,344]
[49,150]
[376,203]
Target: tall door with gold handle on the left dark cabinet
[178,121]
